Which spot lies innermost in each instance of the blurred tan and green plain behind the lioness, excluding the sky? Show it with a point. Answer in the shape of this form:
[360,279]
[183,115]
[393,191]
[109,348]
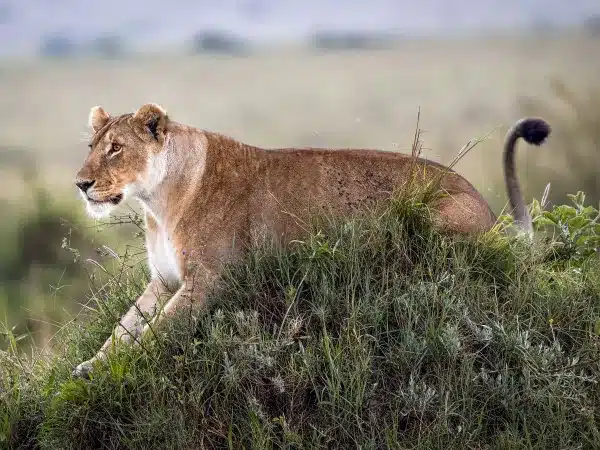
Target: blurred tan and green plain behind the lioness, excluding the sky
[295,97]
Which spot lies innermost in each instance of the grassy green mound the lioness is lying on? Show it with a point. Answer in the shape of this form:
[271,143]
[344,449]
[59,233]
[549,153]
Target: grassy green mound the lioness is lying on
[372,333]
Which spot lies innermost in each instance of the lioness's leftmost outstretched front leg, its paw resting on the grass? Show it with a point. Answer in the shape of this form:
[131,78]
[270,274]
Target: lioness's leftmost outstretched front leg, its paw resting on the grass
[131,324]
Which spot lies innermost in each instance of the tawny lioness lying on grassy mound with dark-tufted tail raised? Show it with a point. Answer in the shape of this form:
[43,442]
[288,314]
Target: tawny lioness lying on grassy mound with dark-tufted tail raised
[205,195]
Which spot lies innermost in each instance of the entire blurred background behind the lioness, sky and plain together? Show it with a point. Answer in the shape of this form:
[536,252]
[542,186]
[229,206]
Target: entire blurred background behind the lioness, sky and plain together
[274,73]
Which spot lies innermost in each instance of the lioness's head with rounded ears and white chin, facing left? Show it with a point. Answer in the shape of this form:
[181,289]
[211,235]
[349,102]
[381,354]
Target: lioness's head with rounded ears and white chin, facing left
[123,156]
